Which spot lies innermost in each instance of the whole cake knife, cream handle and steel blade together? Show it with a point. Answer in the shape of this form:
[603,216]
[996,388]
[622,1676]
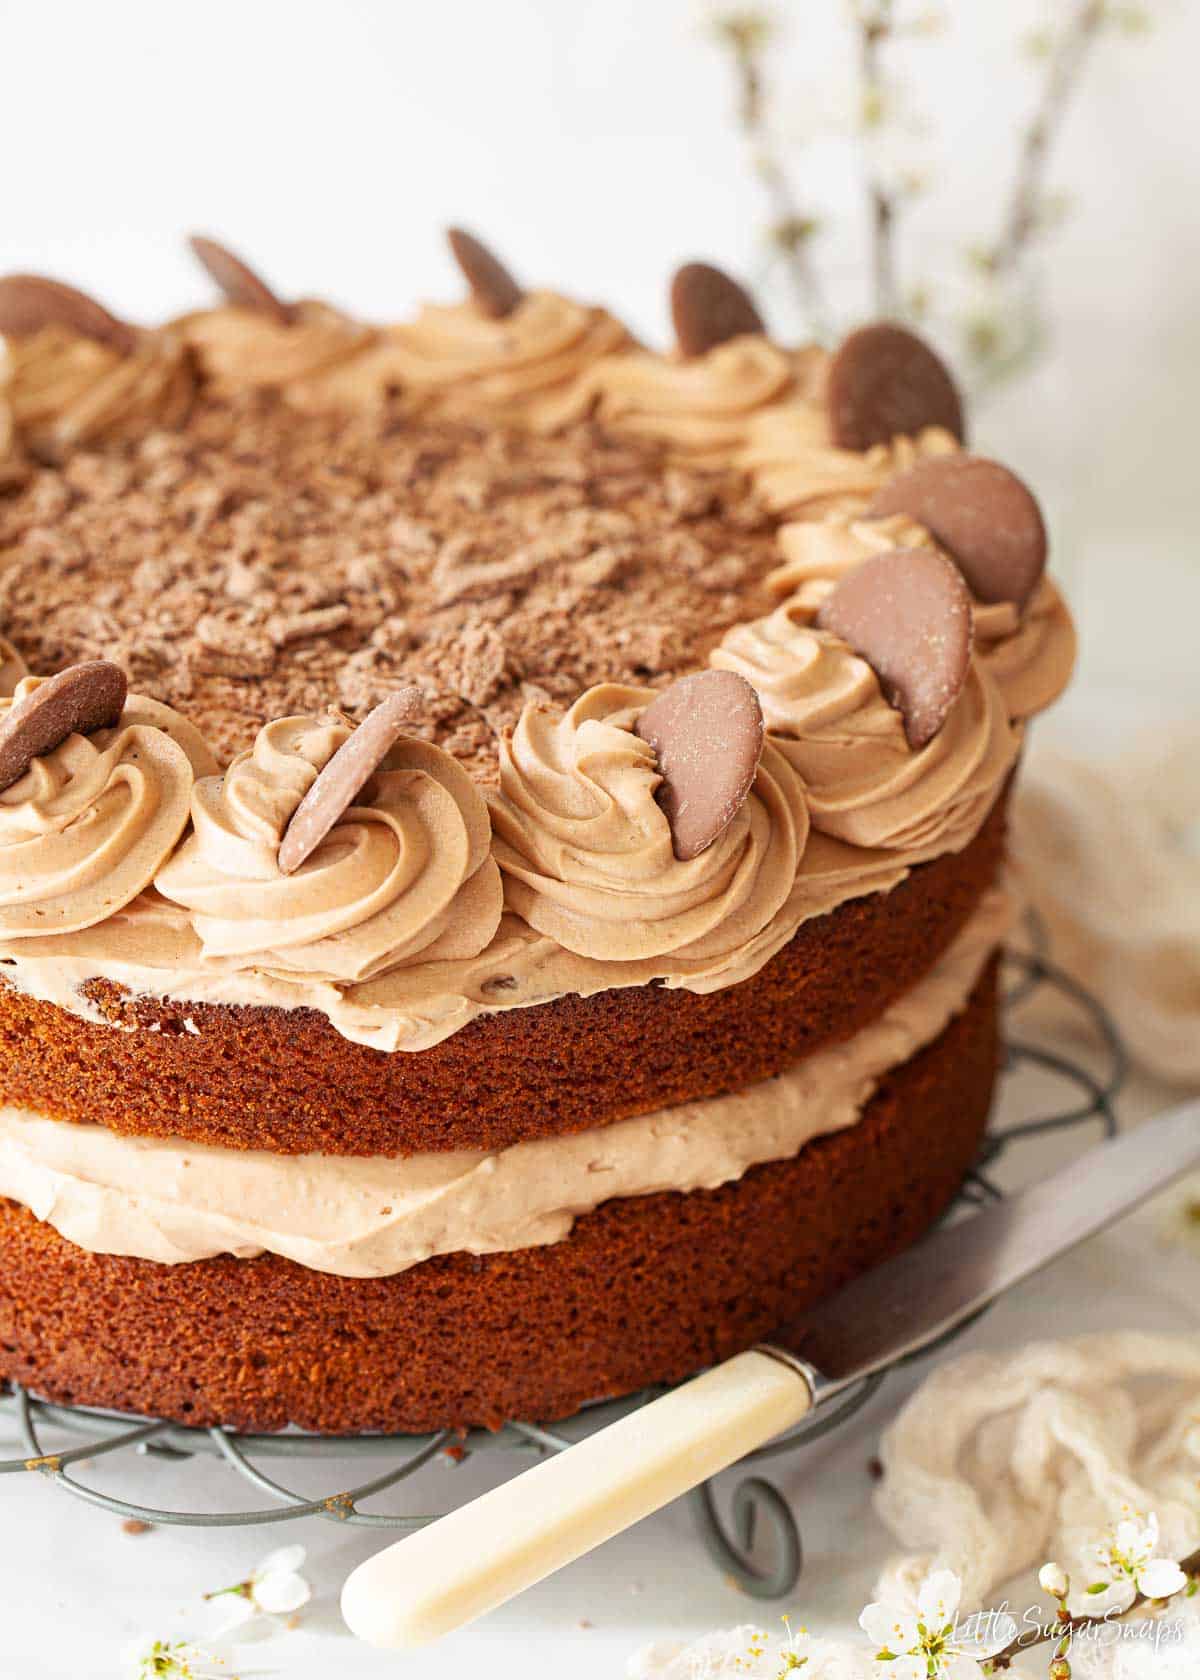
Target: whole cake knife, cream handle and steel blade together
[493,1548]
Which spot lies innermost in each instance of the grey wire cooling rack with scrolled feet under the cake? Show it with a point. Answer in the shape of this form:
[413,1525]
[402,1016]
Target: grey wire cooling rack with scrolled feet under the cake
[759,1543]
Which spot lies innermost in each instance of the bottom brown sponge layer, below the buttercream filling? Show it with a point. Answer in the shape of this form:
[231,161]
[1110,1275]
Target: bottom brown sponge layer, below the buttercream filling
[645,1289]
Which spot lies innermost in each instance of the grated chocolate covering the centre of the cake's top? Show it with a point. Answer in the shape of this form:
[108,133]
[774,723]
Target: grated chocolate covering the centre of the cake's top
[263,562]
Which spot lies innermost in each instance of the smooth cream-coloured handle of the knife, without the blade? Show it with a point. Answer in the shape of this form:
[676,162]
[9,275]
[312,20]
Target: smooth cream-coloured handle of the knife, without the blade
[485,1553]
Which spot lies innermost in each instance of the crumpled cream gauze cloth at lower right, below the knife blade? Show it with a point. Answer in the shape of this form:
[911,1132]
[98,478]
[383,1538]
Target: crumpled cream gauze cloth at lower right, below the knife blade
[1003,1462]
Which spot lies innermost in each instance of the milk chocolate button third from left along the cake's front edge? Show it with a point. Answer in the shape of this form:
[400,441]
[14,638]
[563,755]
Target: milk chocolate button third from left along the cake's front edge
[708,735]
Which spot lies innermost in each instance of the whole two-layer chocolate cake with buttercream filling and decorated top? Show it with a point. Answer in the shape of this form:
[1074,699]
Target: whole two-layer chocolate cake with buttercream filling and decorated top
[502,841]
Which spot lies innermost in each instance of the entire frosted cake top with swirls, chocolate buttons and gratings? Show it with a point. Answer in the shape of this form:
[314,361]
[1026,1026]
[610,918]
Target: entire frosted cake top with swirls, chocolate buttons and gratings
[268,515]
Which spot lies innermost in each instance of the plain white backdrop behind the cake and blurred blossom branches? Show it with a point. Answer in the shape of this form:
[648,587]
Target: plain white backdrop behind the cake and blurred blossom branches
[594,145]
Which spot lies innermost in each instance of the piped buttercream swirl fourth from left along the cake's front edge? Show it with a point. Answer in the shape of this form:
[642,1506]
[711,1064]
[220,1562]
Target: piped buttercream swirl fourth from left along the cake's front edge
[829,718]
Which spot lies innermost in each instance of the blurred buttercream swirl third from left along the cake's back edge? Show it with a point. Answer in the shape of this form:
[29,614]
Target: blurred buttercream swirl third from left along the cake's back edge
[530,365]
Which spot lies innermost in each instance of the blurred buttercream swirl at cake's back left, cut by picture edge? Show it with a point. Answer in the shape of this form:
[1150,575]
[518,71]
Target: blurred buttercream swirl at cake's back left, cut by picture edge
[66,391]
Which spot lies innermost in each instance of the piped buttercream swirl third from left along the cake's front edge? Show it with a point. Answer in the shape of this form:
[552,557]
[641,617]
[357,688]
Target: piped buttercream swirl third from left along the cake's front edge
[587,853]
